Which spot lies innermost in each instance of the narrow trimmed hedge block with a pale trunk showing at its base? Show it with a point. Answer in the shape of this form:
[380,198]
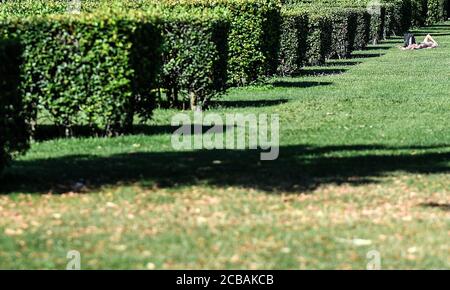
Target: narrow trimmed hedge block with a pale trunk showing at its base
[194,55]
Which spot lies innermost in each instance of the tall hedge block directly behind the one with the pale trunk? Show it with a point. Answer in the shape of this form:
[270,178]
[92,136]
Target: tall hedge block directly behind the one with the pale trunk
[253,38]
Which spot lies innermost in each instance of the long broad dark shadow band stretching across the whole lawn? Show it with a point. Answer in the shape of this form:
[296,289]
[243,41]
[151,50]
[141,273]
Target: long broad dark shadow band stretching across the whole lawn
[299,168]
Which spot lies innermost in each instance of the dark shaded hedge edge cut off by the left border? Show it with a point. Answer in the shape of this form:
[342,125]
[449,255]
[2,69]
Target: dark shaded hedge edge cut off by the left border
[14,133]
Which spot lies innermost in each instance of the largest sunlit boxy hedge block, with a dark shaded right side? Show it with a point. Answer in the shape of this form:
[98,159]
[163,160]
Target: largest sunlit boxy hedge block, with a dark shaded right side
[91,69]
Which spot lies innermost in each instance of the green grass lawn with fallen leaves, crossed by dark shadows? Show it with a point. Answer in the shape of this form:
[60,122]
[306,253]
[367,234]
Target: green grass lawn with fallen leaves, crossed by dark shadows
[364,165]
